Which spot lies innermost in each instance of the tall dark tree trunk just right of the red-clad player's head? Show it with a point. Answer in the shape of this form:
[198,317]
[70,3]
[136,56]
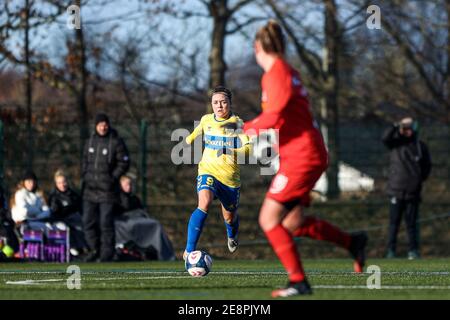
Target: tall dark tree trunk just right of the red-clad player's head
[331,90]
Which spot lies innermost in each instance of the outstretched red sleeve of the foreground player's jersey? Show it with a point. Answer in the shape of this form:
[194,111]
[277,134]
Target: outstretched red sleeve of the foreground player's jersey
[279,91]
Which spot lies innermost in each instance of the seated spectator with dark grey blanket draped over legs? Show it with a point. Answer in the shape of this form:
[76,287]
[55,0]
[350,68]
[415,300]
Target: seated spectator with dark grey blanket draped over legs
[133,225]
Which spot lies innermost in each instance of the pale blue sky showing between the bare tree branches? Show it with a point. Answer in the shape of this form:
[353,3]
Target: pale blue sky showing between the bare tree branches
[127,18]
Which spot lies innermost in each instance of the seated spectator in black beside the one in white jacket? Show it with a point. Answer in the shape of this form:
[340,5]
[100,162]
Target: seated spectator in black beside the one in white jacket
[65,206]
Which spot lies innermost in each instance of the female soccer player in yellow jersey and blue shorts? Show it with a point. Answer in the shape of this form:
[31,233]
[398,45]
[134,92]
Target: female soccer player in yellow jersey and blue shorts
[218,171]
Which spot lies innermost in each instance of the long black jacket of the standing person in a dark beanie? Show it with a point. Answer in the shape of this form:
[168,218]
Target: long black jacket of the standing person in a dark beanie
[105,159]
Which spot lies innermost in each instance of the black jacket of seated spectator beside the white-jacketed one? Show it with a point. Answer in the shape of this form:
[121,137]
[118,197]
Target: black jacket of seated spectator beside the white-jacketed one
[63,204]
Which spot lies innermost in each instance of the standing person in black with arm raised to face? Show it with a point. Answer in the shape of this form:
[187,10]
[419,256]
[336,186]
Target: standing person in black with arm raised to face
[410,166]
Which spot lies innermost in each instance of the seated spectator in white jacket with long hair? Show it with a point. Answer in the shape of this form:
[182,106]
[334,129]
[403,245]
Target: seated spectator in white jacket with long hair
[28,206]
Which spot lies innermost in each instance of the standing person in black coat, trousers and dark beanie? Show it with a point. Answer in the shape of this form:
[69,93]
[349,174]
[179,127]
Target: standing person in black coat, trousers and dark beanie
[105,159]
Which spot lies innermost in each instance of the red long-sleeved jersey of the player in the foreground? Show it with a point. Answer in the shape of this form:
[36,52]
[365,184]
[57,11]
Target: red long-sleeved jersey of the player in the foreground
[286,107]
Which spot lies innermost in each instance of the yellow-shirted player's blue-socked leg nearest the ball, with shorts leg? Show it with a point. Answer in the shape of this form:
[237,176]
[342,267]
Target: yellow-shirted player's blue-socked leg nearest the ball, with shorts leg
[205,187]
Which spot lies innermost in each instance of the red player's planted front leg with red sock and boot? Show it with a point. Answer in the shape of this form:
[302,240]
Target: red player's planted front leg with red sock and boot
[270,219]
